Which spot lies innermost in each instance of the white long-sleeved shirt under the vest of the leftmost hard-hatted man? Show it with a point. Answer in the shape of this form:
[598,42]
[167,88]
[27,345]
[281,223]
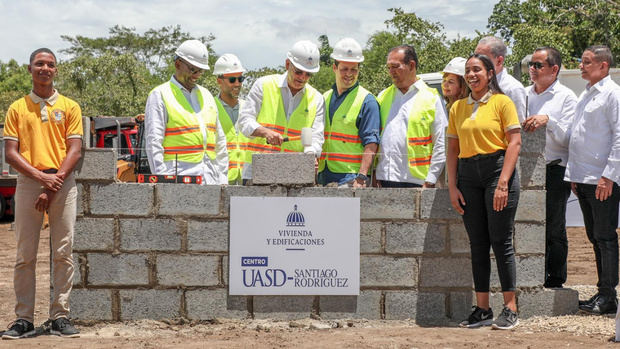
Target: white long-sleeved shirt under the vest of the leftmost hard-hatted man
[155,119]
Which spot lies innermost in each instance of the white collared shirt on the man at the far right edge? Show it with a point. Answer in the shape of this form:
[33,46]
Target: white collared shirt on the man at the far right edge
[594,147]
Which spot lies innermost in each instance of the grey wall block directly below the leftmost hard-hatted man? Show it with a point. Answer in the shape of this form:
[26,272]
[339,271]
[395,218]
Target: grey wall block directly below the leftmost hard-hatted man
[188,199]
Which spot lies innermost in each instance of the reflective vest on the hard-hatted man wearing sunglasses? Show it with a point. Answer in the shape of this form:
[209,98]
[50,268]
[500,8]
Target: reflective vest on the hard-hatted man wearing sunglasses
[236,143]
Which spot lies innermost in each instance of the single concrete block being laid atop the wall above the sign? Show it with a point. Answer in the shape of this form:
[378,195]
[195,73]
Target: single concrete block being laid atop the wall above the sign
[283,168]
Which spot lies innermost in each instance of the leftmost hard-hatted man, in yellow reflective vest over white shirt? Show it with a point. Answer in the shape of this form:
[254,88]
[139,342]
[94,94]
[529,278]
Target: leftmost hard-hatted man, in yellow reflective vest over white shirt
[183,133]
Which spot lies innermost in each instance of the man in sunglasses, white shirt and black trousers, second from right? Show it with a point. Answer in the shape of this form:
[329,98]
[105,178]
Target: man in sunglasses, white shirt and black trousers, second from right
[552,104]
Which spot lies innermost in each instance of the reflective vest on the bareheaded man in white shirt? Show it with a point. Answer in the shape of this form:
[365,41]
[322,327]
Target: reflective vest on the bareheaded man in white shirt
[419,126]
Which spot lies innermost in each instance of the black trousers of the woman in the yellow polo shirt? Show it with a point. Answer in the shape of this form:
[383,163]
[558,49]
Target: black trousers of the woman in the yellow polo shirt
[486,228]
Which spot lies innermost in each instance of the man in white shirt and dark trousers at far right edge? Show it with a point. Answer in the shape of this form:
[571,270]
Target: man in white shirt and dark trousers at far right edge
[594,170]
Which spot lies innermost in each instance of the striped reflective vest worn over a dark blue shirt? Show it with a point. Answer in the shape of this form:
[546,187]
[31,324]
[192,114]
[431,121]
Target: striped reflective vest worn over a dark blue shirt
[343,149]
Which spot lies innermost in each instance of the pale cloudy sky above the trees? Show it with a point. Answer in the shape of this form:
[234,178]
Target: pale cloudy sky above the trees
[258,32]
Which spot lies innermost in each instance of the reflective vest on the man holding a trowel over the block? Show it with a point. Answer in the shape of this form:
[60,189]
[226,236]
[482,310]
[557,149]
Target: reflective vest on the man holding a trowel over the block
[273,117]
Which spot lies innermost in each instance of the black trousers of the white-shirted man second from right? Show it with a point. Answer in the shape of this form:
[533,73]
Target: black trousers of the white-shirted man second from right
[556,243]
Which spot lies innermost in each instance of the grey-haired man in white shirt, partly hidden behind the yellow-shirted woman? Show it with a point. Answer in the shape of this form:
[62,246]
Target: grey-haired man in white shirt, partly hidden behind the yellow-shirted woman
[496,50]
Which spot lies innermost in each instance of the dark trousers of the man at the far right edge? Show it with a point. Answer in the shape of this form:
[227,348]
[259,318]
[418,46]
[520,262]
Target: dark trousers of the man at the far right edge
[601,221]
